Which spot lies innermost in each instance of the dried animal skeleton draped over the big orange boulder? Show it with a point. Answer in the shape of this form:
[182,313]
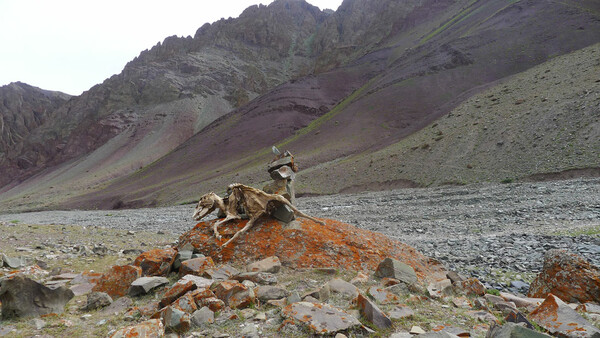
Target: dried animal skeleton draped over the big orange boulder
[256,203]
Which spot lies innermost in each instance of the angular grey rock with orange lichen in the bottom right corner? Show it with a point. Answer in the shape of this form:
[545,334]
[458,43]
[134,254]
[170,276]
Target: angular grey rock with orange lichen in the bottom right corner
[558,318]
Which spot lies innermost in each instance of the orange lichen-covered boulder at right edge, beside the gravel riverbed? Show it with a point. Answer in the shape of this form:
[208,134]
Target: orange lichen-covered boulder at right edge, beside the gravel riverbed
[569,277]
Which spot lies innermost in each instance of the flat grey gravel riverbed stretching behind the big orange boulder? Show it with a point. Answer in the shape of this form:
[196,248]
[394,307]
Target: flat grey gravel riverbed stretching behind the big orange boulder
[496,232]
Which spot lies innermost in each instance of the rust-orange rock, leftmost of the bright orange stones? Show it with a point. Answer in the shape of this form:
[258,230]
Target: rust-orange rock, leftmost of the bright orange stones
[117,280]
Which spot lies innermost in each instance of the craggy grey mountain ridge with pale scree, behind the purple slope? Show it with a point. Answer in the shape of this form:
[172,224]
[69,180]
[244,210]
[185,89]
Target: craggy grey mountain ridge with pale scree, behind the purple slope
[172,91]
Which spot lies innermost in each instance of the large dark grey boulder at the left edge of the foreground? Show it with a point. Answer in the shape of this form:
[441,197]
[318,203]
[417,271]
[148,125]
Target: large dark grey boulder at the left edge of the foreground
[24,297]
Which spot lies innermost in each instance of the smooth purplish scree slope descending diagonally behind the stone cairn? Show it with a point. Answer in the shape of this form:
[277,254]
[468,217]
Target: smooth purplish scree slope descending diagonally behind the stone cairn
[407,90]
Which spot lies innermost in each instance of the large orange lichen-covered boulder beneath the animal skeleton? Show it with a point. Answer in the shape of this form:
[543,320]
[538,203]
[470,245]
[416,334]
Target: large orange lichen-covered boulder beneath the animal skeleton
[307,244]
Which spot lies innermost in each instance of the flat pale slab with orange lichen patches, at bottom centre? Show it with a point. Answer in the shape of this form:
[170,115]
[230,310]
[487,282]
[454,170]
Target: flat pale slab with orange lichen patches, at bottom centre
[320,318]
